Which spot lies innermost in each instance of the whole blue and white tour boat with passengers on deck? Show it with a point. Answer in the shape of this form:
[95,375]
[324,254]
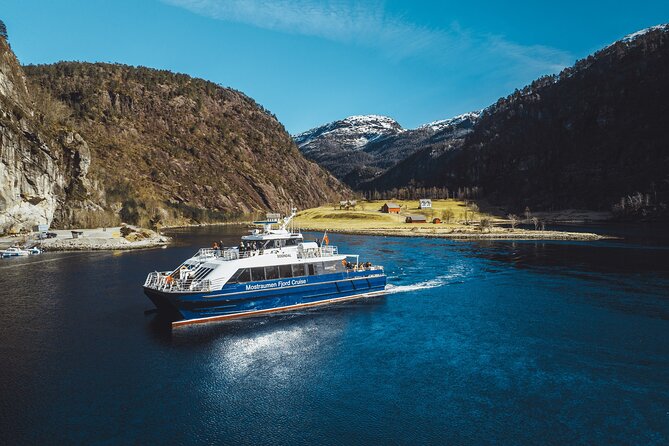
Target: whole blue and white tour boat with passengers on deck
[271,270]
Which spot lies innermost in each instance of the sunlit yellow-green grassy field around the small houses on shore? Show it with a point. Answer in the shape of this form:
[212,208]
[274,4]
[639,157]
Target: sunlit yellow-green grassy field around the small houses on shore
[367,215]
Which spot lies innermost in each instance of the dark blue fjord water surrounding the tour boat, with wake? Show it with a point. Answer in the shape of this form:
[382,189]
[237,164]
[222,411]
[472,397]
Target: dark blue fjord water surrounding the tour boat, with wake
[477,343]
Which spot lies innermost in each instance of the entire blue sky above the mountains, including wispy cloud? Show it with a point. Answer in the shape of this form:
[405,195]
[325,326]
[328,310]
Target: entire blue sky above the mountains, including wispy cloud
[312,62]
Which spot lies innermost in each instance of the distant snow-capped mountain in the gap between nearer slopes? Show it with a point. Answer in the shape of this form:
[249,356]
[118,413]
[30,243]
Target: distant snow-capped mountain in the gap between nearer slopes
[359,148]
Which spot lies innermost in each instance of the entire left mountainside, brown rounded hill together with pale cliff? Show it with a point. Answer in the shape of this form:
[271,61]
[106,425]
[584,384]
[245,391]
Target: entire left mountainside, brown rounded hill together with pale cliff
[93,144]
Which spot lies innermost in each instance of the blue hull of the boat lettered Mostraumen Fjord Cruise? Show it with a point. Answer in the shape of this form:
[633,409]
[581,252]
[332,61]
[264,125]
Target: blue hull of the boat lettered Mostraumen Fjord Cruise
[258,298]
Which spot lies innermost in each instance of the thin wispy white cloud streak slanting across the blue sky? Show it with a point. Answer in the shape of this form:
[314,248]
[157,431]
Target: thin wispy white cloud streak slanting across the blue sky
[369,25]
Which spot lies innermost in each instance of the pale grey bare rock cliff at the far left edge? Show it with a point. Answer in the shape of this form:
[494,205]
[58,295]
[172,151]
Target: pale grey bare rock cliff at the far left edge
[39,166]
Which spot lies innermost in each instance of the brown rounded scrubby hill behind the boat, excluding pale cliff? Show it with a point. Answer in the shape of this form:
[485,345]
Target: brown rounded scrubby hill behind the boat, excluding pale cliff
[169,148]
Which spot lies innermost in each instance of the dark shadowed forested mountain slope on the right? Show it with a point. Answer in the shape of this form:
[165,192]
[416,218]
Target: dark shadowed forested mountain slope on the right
[589,137]
